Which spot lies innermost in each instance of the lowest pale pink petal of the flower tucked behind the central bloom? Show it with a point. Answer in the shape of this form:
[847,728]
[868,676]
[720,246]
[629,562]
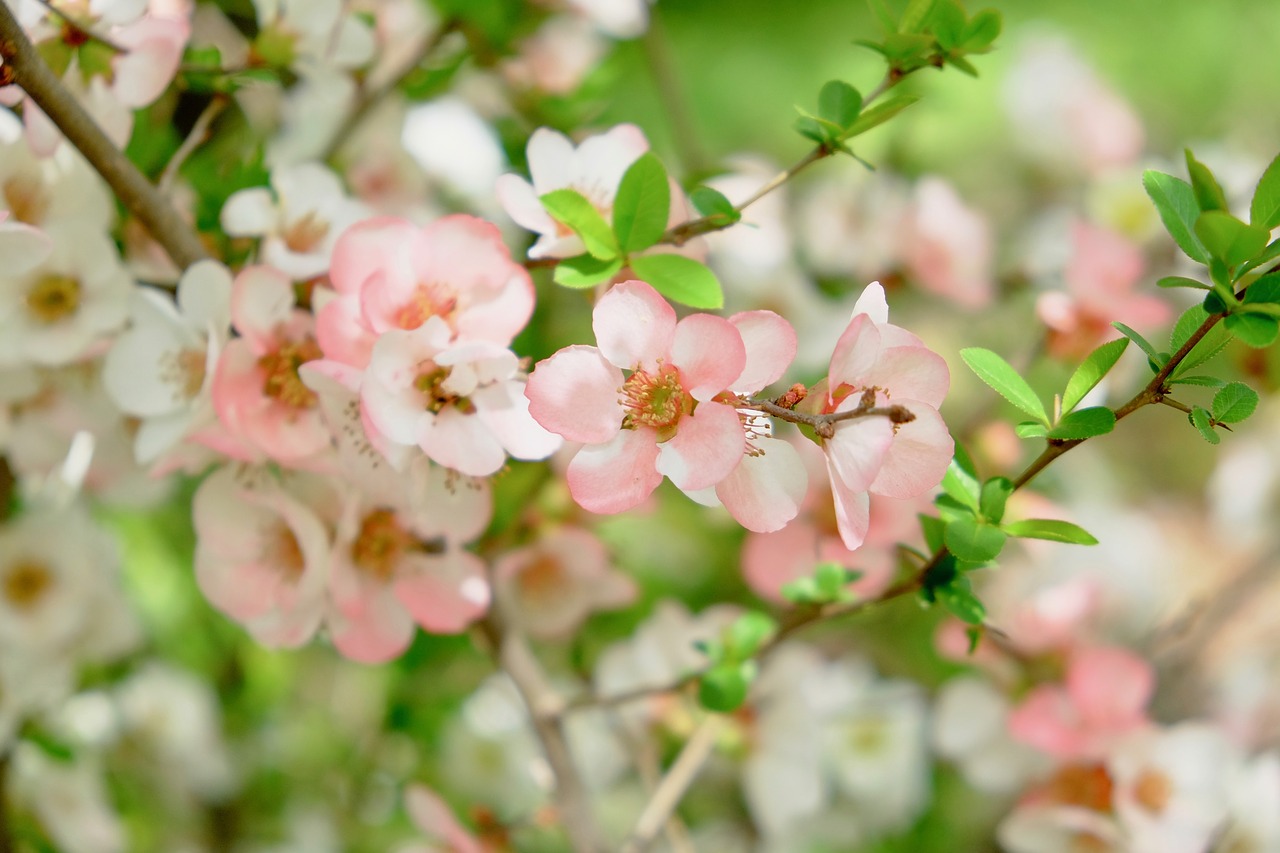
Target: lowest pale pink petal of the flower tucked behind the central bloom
[765,492]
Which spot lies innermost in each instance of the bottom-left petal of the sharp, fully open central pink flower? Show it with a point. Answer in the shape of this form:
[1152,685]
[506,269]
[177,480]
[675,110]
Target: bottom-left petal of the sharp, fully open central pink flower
[618,476]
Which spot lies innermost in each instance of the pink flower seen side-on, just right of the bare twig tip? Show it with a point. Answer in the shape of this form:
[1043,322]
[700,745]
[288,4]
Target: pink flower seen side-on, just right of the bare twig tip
[888,366]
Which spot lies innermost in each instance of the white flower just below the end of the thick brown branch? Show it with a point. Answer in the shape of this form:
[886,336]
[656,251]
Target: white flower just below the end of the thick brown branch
[159,371]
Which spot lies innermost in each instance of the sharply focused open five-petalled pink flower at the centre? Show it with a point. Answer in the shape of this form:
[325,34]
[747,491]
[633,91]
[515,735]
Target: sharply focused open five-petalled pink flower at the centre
[661,419]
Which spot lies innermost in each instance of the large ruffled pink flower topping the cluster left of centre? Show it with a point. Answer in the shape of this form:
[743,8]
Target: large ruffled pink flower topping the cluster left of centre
[392,275]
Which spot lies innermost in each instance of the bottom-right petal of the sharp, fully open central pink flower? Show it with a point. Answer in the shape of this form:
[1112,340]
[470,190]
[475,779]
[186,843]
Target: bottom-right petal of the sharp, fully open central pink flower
[706,449]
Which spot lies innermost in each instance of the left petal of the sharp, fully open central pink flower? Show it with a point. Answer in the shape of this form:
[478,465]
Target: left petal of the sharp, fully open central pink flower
[575,395]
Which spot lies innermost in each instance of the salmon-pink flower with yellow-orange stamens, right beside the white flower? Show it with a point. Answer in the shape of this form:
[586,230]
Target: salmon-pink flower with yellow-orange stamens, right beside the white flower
[259,398]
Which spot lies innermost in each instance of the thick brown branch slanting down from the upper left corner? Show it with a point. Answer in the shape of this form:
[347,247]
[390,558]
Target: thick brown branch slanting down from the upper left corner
[25,67]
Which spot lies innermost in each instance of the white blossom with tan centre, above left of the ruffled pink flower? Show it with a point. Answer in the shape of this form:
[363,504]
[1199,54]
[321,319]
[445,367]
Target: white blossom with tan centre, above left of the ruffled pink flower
[299,220]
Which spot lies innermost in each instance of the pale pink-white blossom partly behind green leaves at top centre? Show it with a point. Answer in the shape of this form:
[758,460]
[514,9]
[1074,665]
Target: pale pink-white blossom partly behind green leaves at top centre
[595,168]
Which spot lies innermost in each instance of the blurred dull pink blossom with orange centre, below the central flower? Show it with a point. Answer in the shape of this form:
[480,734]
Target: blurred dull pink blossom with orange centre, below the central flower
[552,586]
